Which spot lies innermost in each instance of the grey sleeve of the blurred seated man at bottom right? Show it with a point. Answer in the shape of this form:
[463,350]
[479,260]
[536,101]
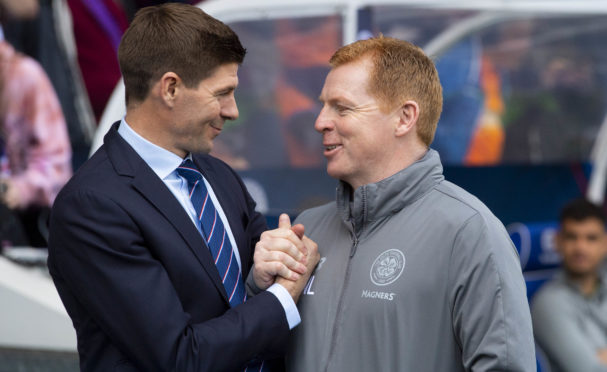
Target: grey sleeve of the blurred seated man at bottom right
[558,333]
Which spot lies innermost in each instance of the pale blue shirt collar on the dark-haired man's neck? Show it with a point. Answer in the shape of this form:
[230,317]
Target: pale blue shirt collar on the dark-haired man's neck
[162,161]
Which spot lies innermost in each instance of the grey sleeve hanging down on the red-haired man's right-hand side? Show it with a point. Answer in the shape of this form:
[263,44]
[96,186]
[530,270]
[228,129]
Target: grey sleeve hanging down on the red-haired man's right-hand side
[490,313]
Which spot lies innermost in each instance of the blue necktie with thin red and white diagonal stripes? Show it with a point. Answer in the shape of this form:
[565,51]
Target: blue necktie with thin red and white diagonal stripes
[214,233]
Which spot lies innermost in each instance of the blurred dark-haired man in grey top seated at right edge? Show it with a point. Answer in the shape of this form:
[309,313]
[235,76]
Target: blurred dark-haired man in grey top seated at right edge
[570,312]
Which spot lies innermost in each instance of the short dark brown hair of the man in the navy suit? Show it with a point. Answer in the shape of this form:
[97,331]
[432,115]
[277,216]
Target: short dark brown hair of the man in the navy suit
[174,37]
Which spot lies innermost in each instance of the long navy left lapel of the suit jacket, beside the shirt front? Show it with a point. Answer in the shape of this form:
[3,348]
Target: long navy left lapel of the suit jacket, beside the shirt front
[145,181]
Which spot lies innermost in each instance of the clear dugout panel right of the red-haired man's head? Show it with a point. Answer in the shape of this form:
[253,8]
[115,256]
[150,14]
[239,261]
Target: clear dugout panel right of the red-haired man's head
[517,90]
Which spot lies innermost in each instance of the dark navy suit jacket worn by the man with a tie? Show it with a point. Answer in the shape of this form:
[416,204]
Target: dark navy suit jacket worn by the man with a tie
[137,279]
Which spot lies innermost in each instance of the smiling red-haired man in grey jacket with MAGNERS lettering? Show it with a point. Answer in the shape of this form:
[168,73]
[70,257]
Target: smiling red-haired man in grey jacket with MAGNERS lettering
[416,274]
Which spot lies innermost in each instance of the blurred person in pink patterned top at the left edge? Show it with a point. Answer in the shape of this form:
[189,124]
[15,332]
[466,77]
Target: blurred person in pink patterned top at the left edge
[34,146]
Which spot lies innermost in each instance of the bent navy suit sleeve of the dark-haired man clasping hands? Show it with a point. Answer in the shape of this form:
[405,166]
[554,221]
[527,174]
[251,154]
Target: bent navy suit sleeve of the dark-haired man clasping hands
[98,255]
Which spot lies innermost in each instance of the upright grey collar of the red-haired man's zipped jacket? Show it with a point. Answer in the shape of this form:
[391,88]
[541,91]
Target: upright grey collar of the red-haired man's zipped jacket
[371,202]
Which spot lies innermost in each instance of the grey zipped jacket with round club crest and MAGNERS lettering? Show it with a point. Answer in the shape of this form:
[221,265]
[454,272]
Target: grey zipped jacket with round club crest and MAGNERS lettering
[416,275]
